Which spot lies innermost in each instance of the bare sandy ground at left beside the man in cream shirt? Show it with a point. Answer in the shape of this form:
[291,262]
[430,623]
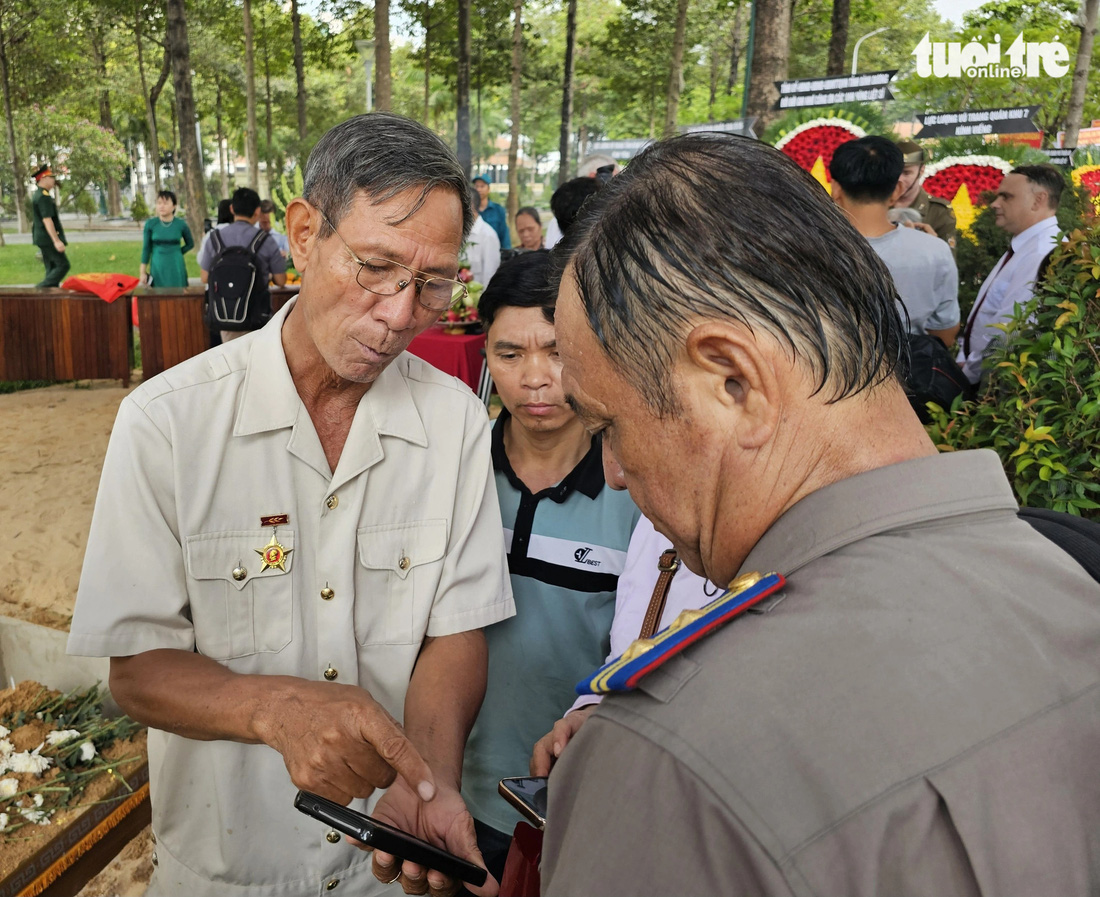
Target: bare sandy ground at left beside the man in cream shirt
[52,446]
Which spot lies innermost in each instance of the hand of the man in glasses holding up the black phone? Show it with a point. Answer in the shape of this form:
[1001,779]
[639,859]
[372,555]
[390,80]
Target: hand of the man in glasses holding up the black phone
[444,822]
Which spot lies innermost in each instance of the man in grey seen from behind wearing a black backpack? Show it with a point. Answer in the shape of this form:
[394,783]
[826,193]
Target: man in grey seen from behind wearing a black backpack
[237,264]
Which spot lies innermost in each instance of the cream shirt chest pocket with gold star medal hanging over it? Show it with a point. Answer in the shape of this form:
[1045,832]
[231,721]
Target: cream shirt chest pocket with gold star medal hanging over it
[240,590]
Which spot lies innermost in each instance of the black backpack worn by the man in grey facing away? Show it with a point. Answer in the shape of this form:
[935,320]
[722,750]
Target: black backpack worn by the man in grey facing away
[237,292]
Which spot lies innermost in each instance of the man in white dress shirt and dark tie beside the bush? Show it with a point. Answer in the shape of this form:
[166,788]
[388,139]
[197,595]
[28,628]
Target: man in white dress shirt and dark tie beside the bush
[1026,206]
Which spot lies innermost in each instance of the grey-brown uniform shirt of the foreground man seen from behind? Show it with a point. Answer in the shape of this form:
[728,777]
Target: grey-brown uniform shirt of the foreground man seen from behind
[919,714]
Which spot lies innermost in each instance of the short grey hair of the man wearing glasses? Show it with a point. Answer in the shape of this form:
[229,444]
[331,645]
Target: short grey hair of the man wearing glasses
[383,156]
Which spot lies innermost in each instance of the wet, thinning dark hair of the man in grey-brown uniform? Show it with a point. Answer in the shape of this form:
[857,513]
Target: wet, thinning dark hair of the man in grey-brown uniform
[721,227]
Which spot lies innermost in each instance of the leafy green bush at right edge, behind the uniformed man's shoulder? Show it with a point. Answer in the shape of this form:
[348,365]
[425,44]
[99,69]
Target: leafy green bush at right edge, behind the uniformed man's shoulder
[1041,411]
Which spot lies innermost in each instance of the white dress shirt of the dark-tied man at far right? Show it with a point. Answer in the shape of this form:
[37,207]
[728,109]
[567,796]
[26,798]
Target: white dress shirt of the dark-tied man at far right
[1009,285]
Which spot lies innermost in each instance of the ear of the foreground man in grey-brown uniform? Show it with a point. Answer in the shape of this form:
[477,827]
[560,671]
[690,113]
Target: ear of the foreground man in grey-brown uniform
[738,374]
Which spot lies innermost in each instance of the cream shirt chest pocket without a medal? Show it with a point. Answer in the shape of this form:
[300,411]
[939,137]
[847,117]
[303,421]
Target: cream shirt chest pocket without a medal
[399,574]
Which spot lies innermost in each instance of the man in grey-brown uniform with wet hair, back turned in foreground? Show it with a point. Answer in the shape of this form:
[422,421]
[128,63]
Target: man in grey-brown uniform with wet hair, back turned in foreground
[918,712]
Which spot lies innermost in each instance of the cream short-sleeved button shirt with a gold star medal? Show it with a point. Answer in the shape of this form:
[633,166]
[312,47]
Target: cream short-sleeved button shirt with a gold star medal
[406,533]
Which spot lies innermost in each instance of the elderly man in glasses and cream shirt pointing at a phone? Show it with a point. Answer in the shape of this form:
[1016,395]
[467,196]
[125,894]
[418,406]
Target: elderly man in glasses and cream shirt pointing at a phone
[296,544]
